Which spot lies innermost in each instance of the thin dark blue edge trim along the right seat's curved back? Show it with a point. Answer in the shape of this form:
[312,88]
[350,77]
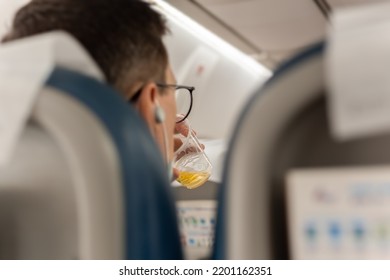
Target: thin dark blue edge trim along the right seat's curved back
[219,250]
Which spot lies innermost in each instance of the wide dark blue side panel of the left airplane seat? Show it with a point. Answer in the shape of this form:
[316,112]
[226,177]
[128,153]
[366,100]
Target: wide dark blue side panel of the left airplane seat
[151,226]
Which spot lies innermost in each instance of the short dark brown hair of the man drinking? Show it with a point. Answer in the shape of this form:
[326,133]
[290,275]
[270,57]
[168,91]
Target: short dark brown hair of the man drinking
[123,36]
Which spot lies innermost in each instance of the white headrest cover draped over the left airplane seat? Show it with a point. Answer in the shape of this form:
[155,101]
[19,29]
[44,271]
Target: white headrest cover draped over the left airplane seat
[24,67]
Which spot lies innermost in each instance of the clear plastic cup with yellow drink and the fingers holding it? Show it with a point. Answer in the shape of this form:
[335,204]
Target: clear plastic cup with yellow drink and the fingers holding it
[193,165]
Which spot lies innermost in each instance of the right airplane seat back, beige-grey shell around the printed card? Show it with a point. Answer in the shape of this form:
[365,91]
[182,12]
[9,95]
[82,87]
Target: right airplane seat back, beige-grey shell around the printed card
[283,127]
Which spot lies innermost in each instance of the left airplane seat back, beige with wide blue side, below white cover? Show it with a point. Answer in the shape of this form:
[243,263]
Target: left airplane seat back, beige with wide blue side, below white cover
[86,180]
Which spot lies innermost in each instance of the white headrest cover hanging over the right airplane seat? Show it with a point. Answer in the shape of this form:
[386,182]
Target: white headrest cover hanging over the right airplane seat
[358,67]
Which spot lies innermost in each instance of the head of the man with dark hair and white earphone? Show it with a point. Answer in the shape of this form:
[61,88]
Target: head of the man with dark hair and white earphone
[124,37]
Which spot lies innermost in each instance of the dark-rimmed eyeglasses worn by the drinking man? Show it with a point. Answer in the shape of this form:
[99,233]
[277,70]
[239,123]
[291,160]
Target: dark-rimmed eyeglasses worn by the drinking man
[184,100]
